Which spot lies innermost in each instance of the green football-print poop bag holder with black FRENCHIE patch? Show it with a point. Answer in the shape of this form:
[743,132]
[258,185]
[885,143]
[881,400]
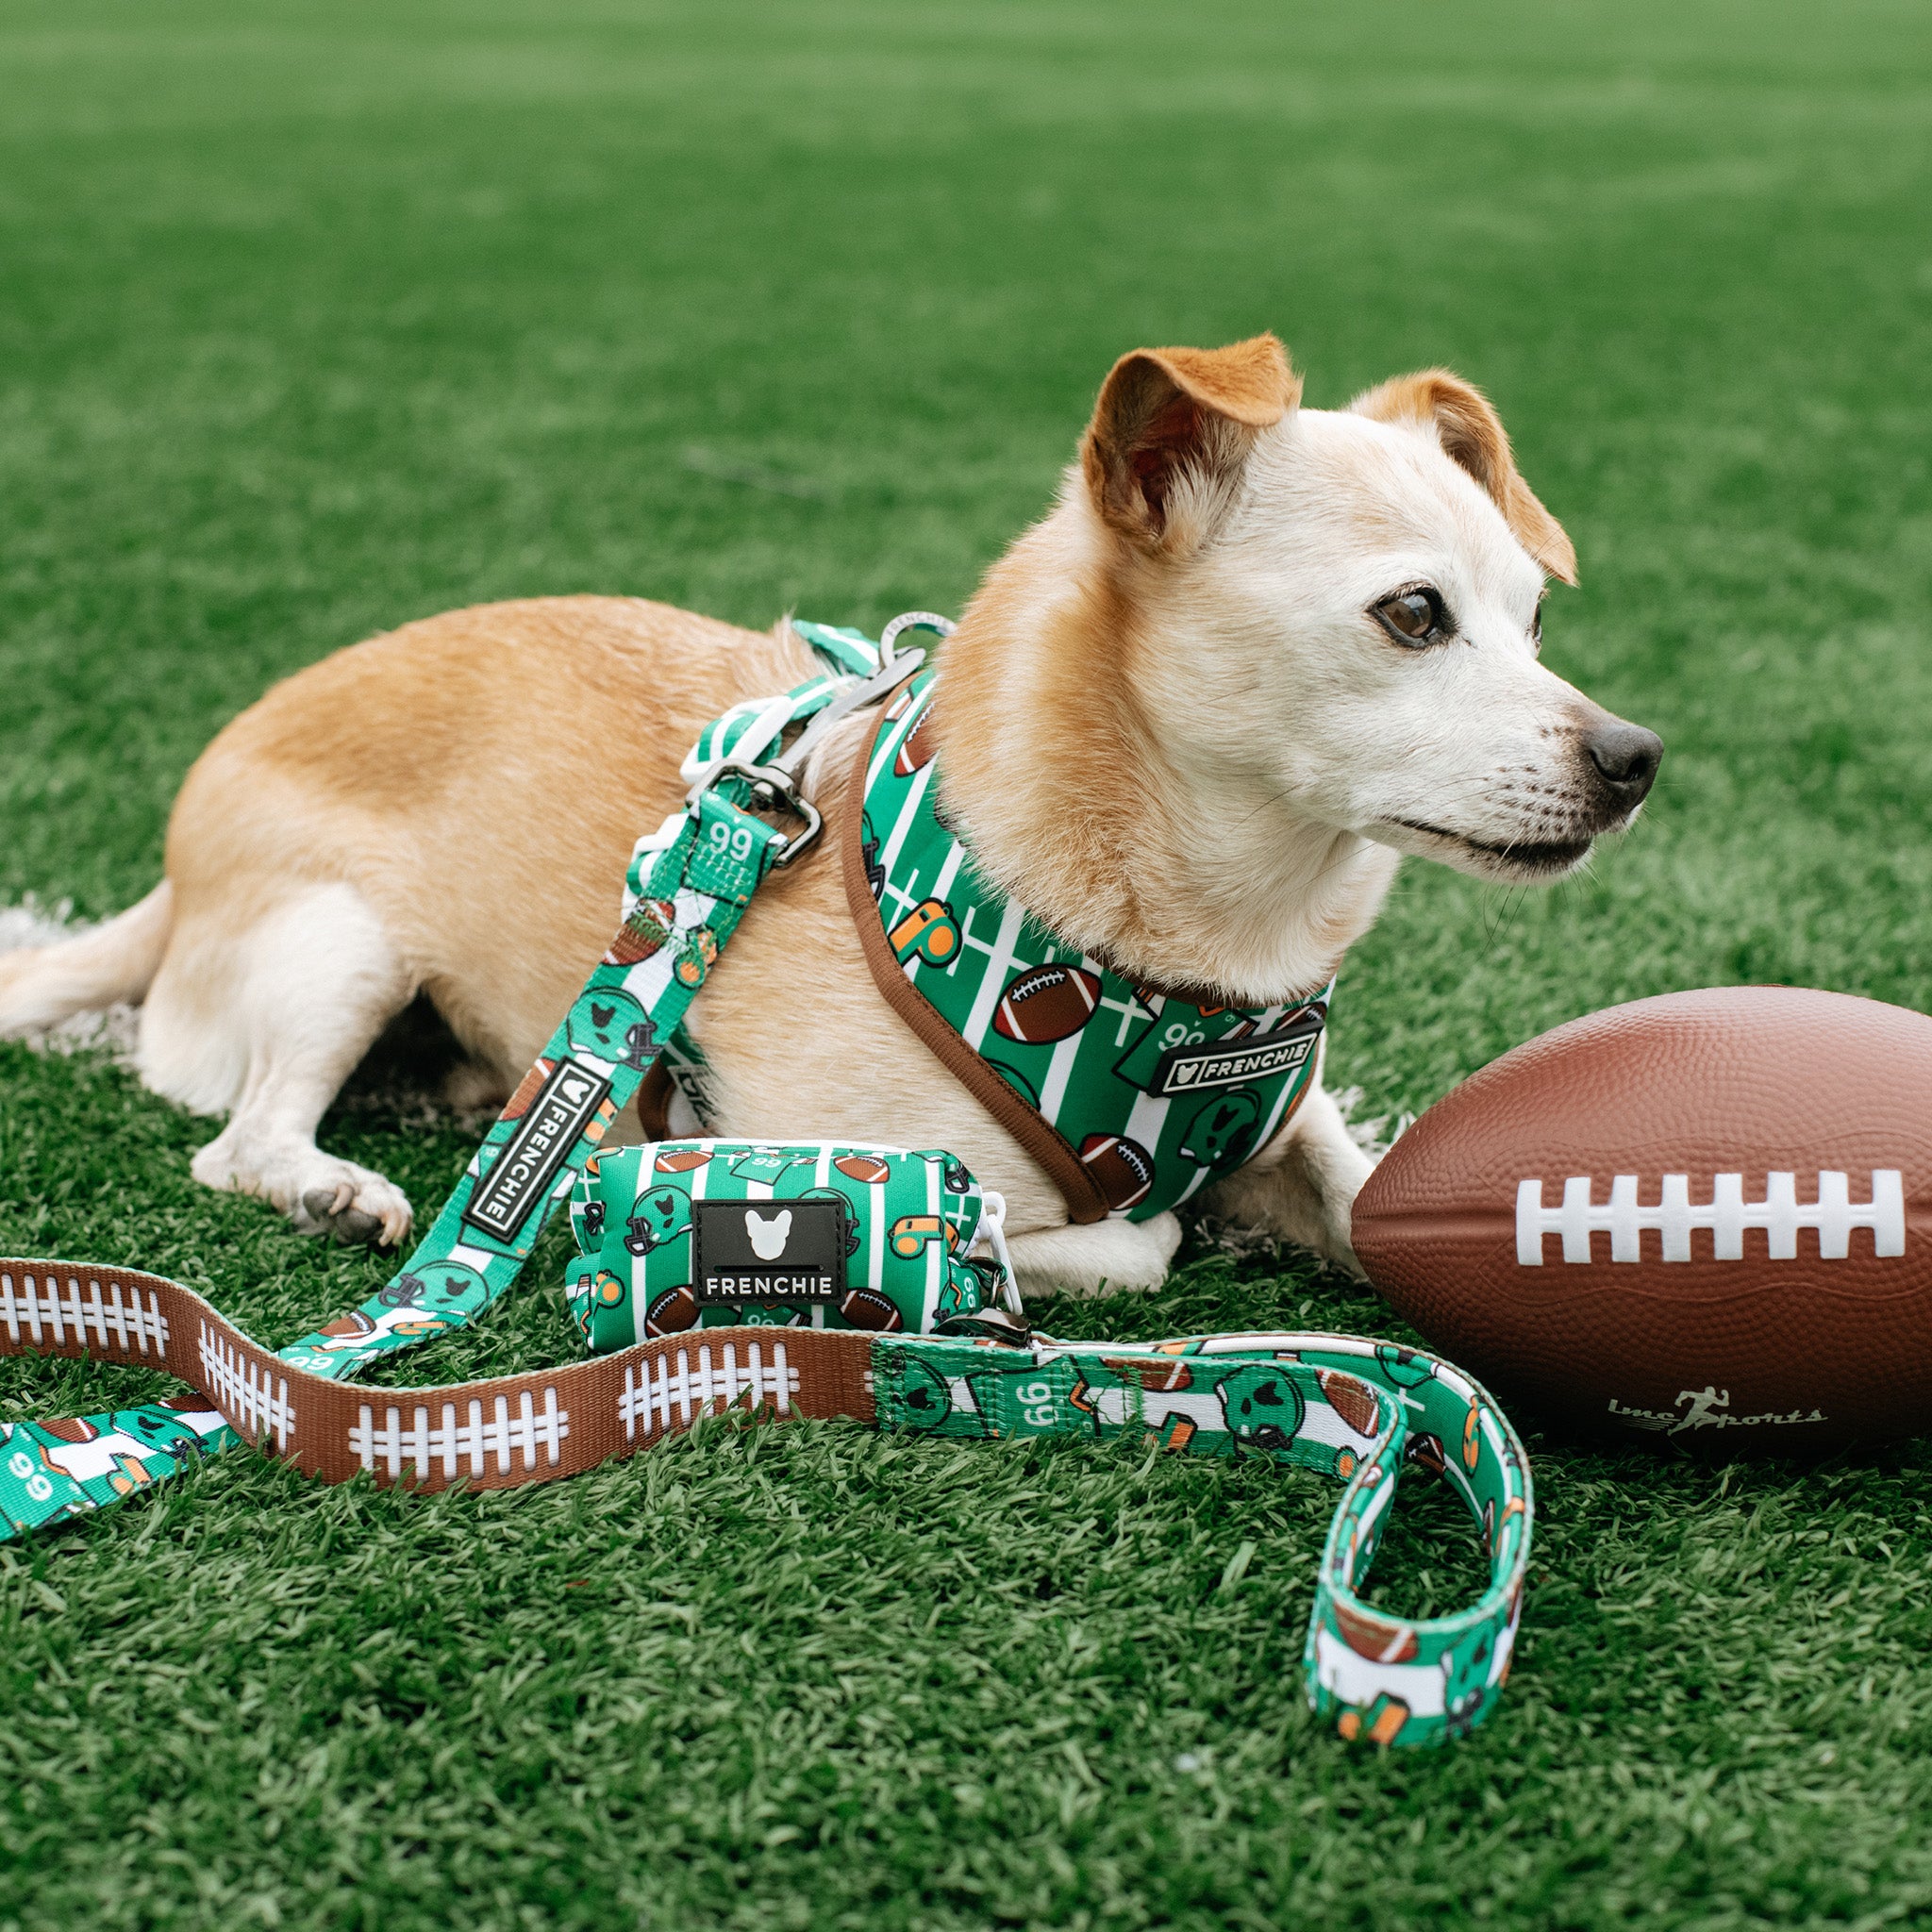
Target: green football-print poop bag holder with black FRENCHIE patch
[733,1234]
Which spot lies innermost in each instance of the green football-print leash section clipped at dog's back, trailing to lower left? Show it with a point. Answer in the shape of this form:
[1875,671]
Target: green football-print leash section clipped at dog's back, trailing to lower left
[685,894]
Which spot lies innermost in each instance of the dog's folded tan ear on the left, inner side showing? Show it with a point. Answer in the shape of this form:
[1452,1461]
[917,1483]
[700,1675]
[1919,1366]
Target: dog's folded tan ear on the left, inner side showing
[1172,432]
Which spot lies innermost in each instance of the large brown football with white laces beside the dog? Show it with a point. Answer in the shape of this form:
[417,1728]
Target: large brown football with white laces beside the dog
[1705,1216]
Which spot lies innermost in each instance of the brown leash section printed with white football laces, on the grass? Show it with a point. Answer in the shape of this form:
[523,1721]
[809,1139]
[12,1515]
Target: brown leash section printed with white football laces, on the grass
[490,1435]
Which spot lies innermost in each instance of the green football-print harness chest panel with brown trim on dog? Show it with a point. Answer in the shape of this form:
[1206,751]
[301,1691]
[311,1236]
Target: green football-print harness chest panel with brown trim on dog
[1133,1098]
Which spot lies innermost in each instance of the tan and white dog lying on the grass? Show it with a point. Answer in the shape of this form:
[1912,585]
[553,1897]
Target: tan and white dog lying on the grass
[1193,722]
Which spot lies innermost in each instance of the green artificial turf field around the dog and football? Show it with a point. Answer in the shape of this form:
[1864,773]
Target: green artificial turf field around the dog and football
[318,320]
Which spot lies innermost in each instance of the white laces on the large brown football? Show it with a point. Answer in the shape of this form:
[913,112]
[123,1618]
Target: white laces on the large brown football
[1833,1216]
